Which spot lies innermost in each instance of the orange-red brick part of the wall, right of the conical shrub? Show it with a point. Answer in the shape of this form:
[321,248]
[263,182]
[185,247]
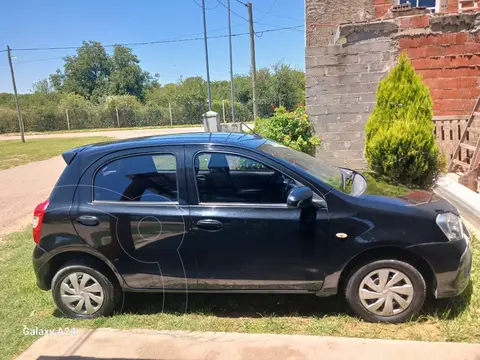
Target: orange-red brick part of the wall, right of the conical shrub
[448,61]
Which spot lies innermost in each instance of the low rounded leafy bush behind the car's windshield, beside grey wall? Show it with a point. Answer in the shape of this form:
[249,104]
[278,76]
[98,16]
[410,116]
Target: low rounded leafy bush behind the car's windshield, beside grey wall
[292,129]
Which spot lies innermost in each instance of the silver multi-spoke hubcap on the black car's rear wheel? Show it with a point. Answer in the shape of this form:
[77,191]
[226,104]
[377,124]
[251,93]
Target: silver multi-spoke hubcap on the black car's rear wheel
[81,293]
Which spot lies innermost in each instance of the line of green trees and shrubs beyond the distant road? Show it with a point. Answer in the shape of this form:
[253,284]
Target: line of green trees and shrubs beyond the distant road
[95,89]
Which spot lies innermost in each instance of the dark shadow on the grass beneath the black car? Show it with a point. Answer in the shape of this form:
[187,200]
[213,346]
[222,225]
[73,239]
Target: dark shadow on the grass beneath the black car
[261,305]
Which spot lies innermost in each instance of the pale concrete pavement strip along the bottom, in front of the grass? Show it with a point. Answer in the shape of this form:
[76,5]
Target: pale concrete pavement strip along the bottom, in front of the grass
[179,345]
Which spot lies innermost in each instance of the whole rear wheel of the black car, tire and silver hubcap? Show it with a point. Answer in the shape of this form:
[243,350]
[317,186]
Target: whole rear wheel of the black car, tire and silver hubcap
[99,292]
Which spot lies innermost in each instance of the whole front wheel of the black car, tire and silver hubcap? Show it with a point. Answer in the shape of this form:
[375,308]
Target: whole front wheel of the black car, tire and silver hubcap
[394,300]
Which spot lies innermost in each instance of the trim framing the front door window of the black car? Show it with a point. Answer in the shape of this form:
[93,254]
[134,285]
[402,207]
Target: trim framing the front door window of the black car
[231,204]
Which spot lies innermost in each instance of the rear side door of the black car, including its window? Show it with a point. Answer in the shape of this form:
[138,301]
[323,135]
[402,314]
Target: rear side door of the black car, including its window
[132,207]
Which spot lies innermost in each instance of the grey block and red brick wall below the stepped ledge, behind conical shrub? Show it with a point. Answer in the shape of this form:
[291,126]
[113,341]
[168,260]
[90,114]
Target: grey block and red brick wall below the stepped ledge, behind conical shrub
[342,79]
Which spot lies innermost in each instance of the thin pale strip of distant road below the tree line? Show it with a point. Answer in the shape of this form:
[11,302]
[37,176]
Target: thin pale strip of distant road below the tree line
[121,134]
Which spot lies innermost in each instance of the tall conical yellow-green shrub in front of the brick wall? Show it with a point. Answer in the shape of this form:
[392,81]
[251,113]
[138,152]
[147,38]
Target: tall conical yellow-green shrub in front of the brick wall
[400,144]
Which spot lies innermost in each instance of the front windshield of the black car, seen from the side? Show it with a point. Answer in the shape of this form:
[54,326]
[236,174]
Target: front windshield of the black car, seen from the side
[318,168]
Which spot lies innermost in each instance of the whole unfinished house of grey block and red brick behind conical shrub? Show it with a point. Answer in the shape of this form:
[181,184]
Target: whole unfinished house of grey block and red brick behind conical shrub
[352,45]
